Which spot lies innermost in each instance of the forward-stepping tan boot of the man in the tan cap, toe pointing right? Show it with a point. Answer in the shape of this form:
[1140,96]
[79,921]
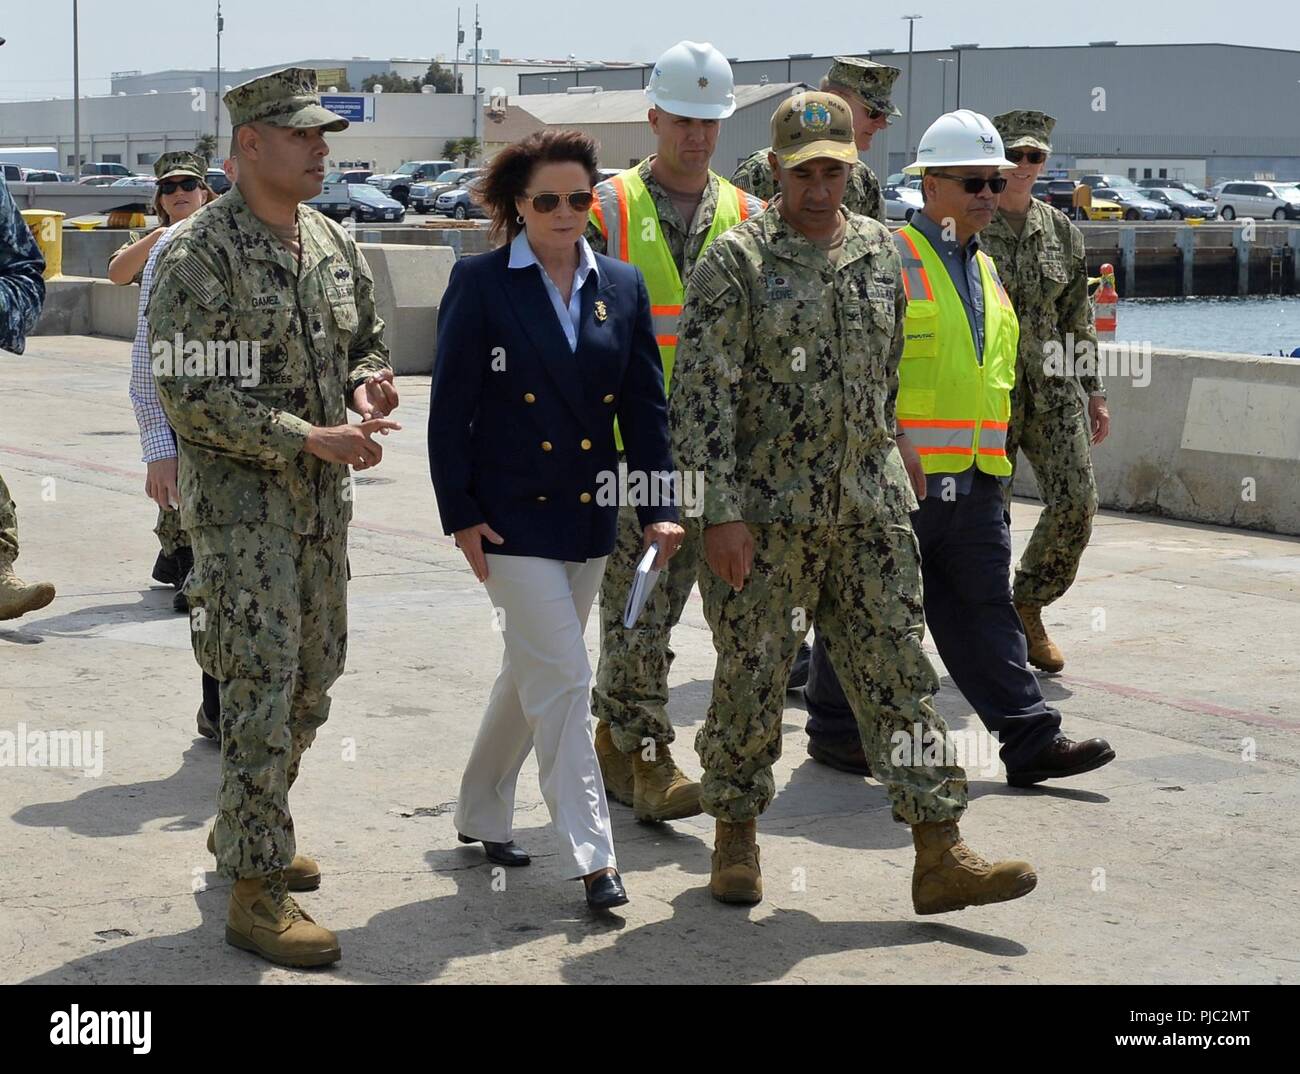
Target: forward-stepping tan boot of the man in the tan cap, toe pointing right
[951,877]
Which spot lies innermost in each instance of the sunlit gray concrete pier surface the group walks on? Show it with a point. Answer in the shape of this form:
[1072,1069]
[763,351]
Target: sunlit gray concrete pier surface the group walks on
[1178,863]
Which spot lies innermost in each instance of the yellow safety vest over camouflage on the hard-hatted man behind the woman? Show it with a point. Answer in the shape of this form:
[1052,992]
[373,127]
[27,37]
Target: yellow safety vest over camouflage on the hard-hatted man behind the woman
[626,214]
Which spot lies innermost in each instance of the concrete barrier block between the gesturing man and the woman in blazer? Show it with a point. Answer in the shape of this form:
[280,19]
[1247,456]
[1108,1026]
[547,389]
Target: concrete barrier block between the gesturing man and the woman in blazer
[409,285]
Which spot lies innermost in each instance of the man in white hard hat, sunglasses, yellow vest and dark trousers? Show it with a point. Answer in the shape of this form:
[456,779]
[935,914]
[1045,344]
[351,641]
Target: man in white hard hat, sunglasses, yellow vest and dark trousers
[955,402]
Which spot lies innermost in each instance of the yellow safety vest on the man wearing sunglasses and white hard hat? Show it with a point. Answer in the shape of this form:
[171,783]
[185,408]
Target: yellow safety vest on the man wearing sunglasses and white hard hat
[952,406]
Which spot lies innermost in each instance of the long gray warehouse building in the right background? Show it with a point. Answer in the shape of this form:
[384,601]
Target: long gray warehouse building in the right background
[1197,112]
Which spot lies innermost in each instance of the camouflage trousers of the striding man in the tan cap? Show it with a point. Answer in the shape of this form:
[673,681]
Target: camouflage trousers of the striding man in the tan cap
[863,586]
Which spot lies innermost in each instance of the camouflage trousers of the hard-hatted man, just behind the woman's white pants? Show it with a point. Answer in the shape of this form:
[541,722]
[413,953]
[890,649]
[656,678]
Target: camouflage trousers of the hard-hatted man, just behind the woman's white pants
[631,690]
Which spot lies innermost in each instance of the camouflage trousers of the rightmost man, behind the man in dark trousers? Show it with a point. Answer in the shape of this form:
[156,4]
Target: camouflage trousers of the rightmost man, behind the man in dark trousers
[1056,443]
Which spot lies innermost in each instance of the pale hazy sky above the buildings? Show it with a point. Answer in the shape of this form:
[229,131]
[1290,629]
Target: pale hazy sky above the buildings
[154,34]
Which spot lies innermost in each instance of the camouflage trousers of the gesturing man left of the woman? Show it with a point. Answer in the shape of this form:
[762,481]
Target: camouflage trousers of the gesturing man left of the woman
[268,614]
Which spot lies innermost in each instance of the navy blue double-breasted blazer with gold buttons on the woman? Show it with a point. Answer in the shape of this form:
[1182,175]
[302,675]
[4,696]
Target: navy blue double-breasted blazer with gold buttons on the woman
[522,430]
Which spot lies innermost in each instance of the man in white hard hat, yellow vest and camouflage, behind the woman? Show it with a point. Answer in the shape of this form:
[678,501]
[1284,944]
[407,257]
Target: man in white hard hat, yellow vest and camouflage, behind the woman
[661,216]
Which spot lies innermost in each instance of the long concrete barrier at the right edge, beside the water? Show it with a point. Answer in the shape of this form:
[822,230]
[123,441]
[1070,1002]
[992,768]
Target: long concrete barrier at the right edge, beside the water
[1211,439]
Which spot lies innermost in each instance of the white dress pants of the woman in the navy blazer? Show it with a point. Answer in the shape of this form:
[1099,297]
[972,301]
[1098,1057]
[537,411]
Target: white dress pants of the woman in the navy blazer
[541,701]
